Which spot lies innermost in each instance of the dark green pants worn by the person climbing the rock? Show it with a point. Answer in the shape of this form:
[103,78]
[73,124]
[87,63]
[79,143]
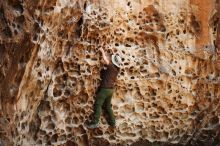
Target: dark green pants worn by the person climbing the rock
[103,98]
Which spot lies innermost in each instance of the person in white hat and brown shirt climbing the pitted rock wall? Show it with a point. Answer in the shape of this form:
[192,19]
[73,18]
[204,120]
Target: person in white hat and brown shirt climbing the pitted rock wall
[106,89]
